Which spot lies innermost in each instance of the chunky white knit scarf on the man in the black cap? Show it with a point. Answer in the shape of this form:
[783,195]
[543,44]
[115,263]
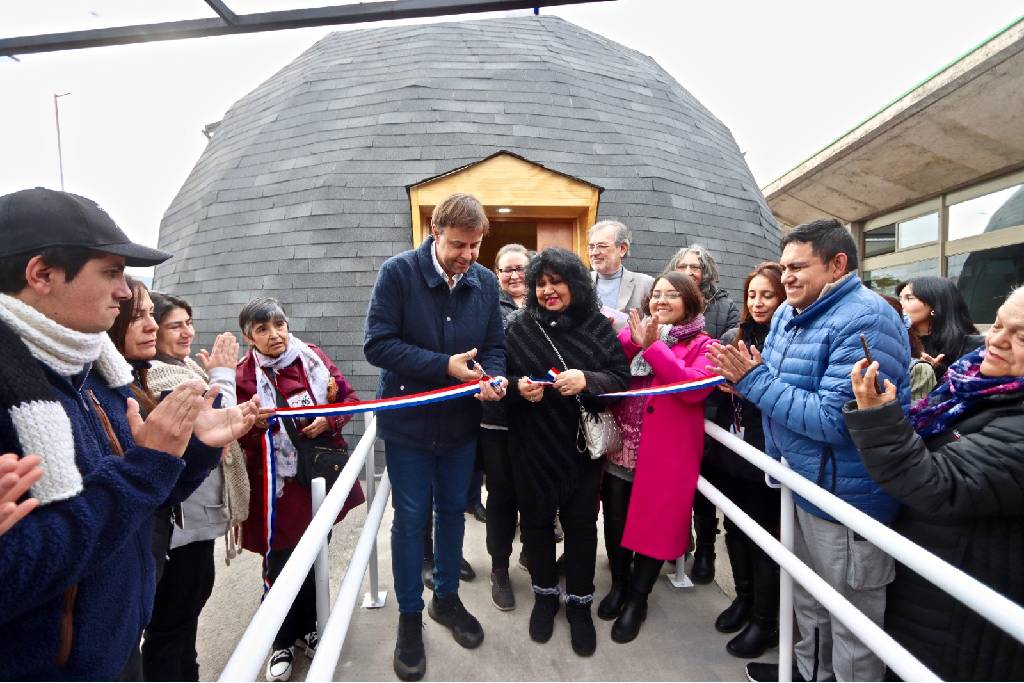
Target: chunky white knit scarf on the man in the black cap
[42,426]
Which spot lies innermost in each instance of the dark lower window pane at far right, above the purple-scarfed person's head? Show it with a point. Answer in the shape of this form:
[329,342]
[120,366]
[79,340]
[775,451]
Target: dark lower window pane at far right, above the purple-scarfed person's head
[986,278]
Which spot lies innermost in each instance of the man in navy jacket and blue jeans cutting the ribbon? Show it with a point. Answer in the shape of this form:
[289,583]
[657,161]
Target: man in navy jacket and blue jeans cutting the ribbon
[435,322]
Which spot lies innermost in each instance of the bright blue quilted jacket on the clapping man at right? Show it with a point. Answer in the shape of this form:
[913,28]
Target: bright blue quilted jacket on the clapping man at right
[805,380]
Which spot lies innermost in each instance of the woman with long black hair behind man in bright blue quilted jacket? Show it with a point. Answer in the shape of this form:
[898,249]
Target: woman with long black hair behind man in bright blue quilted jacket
[935,310]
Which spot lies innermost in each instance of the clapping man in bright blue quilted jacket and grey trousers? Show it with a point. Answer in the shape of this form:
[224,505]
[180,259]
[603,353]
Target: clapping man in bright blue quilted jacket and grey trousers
[801,385]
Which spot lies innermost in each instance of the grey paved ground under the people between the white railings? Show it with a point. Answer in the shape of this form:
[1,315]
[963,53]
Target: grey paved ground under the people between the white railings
[678,642]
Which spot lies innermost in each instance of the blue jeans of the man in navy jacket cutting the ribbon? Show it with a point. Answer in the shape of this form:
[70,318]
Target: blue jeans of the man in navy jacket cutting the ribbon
[412,472]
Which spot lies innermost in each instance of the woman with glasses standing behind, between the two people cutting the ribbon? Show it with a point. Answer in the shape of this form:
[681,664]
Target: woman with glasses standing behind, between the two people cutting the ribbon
[493,448]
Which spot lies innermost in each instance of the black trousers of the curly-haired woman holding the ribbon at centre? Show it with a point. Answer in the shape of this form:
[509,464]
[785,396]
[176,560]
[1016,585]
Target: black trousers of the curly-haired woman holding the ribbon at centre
[578,513]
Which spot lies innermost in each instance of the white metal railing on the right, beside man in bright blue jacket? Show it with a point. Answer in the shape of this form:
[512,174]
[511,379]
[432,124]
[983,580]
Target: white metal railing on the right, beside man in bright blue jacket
[983,600]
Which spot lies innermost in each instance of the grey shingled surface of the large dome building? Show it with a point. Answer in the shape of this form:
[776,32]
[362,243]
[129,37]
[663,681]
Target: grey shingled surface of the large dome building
[302,193]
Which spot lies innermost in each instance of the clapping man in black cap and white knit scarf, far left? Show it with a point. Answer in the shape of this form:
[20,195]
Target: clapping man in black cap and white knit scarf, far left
[78,574]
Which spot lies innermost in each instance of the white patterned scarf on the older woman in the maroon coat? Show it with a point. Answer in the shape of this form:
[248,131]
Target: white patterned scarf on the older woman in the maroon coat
[319,377]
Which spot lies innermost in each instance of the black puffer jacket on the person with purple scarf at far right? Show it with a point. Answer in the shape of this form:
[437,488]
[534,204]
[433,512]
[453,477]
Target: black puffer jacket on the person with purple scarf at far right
[963,494]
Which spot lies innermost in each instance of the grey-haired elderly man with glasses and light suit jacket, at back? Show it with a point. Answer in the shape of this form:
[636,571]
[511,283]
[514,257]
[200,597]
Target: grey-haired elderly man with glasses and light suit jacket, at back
[619,289]
